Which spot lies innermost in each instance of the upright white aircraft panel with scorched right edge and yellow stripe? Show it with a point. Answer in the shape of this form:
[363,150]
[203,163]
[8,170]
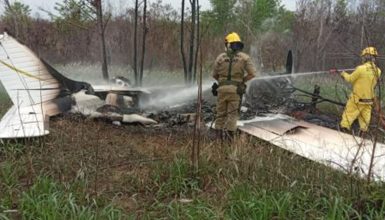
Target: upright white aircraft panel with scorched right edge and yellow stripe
[34,92]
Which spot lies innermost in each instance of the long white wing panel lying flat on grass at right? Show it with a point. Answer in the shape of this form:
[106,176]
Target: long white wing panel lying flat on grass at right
[329,147]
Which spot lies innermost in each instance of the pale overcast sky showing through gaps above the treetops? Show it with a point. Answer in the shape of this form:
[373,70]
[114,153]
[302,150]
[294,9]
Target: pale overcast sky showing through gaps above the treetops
[49,4]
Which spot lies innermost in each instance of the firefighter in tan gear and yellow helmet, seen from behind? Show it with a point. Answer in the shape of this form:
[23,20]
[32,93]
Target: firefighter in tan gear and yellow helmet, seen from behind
[231,69]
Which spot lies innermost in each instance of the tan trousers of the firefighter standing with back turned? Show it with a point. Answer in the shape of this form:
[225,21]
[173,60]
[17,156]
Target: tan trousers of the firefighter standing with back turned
[227,111]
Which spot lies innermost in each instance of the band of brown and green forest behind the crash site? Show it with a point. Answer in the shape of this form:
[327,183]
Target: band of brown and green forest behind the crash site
[322,34]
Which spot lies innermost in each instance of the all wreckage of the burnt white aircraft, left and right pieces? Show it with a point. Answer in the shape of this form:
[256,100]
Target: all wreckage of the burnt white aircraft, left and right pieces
[38,92]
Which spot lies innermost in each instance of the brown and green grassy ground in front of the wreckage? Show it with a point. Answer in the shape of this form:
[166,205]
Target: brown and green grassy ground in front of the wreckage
[88,169]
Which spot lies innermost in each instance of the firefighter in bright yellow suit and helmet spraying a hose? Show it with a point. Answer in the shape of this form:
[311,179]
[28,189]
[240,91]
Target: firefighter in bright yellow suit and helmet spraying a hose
[364,80]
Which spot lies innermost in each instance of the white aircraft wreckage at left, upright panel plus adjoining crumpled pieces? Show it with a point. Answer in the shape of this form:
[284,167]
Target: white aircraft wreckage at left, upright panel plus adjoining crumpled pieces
[38,92]
